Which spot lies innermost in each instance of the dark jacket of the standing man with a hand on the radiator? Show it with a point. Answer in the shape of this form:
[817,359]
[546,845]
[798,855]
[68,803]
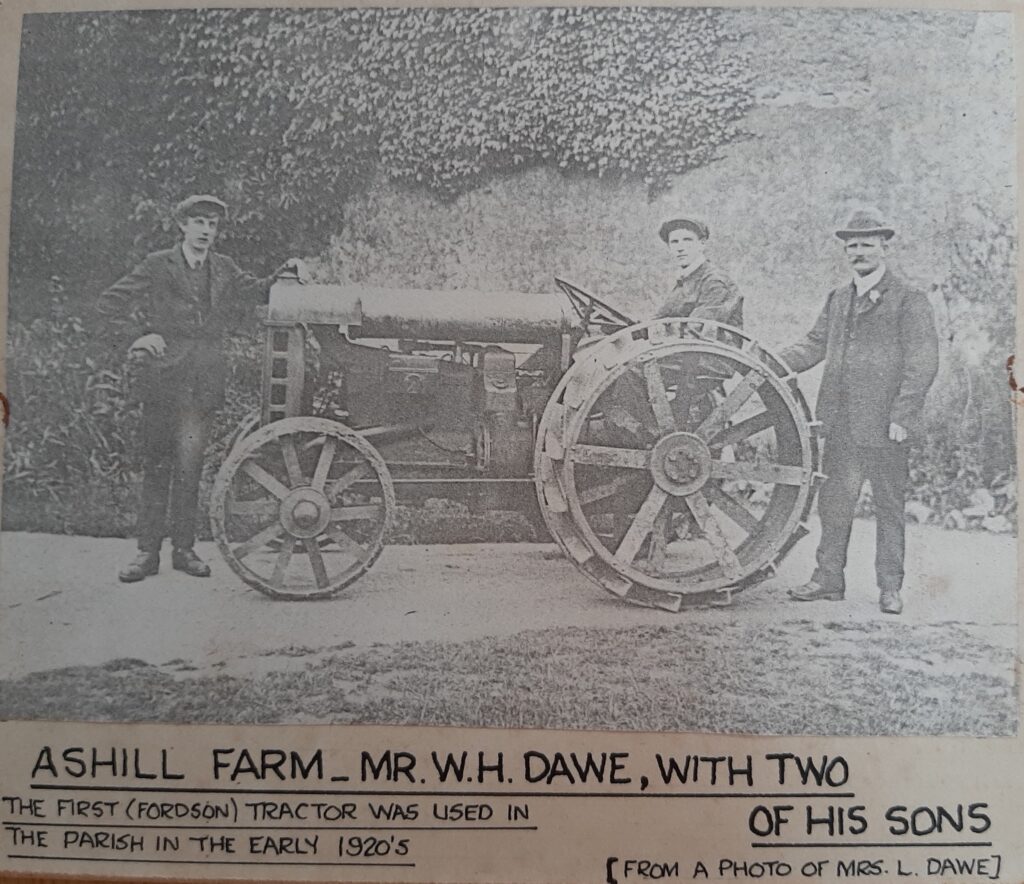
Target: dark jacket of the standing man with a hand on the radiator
[157,298]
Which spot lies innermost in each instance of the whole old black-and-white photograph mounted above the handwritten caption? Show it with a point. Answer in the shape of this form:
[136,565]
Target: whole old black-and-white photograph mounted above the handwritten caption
[630,369]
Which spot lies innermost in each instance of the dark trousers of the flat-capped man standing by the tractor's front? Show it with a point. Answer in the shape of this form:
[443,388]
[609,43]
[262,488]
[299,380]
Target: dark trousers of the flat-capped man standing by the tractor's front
[175,434]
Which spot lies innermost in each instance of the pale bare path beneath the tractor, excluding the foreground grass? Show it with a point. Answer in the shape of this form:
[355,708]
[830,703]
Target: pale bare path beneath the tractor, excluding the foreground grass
[63,606]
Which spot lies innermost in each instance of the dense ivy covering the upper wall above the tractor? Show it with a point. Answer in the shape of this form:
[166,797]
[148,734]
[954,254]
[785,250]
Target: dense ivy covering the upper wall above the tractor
[289,113]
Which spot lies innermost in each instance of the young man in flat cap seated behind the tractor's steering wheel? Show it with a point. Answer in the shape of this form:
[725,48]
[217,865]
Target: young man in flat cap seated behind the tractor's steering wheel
[703,291]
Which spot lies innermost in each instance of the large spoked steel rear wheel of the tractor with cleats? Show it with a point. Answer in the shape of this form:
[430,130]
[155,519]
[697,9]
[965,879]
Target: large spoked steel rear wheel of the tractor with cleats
[676,462]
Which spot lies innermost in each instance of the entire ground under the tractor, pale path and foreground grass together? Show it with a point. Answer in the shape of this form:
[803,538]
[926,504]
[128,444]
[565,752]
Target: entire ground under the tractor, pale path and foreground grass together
[513,636]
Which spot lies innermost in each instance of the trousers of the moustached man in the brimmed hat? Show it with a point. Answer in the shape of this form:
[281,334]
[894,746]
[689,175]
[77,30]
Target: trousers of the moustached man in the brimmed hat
[847,466]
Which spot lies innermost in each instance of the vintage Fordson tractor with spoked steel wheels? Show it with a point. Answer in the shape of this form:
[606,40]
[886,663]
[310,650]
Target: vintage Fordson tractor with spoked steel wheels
[673,461]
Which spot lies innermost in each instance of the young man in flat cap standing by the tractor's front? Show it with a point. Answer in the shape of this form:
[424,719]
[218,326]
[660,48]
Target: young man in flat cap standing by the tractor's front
[176,309]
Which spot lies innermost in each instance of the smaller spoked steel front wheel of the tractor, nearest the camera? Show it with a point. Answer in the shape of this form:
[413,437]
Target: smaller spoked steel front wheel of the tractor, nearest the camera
[302,507]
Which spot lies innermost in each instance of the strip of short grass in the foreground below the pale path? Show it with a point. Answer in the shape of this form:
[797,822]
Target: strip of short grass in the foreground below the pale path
[797,678]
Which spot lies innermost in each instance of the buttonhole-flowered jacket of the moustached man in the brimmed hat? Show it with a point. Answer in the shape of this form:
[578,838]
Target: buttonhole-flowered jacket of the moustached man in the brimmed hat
[881,352]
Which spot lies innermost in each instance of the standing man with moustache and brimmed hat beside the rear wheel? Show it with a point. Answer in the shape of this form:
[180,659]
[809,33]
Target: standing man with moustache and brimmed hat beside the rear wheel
[877,338]
